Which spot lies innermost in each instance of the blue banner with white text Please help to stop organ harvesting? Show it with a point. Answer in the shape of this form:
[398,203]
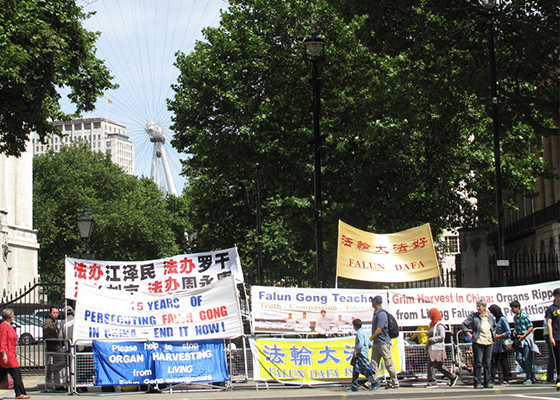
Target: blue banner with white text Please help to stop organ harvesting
[149,363]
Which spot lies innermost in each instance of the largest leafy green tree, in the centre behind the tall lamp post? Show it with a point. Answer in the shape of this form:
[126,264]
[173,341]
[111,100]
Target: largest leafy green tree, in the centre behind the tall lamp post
[398,148]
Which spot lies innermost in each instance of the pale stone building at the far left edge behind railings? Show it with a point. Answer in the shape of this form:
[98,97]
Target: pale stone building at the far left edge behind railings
[18,239]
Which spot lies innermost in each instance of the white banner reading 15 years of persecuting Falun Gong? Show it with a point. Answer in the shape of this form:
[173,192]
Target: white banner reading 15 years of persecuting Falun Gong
[206,313]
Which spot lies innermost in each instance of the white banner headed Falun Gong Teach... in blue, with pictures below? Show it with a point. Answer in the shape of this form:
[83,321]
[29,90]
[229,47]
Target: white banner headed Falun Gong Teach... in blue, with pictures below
[310,311]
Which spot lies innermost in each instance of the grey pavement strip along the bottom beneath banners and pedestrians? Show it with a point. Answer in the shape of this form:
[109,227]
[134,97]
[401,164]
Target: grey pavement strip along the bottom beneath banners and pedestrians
[409,389]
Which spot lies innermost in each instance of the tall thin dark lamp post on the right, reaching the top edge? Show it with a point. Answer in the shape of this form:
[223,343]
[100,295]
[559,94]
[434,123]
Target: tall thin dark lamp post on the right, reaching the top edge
[502,262]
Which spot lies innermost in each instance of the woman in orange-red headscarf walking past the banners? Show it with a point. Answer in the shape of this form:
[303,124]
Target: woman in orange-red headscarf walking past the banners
[435,347]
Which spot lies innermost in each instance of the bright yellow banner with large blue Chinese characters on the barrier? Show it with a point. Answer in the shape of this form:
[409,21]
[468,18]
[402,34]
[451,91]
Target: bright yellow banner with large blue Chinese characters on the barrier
[309,361]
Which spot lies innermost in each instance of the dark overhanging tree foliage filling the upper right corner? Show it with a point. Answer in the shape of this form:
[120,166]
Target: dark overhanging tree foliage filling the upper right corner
[448,43]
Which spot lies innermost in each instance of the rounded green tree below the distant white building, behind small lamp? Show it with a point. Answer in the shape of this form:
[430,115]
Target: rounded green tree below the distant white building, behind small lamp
[131,222]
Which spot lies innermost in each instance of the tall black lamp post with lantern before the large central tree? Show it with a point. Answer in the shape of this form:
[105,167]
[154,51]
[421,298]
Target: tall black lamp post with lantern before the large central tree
[315,53]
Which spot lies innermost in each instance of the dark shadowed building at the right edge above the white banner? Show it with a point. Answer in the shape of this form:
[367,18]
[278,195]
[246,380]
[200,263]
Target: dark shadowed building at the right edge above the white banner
[531,233]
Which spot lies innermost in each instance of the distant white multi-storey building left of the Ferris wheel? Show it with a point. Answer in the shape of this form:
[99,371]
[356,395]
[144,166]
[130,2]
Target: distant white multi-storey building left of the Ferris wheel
[102,134]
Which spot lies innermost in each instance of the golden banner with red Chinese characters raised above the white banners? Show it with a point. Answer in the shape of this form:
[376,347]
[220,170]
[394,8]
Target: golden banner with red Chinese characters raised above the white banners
[396,257]
